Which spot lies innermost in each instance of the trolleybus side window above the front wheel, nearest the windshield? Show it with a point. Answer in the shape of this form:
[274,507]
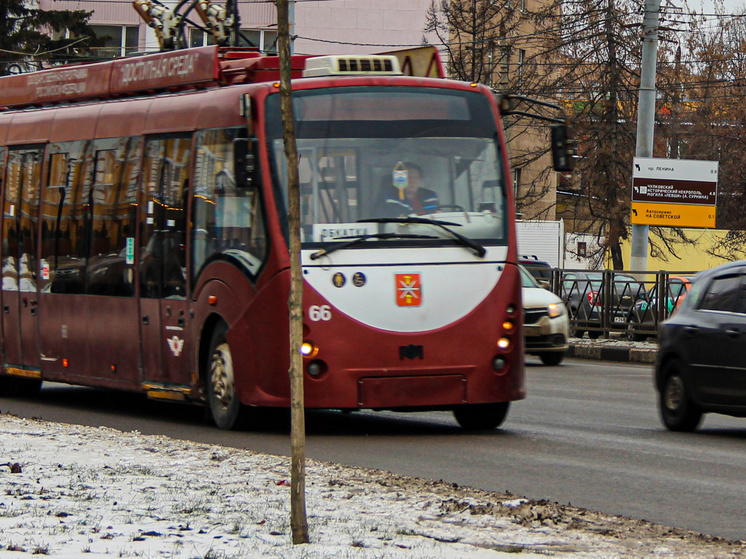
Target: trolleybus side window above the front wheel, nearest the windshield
[227,217]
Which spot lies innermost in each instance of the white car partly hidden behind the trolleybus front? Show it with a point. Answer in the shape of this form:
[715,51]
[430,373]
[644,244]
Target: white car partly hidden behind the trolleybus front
[546,324]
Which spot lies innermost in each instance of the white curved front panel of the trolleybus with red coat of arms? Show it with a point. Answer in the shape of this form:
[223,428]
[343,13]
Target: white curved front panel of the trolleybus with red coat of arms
[405,289]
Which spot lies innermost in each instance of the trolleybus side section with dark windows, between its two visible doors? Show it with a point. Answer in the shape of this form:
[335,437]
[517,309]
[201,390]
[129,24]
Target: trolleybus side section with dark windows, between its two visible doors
[87,284]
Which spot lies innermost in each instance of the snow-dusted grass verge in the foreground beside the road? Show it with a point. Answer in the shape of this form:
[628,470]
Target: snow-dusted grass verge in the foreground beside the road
[72,492]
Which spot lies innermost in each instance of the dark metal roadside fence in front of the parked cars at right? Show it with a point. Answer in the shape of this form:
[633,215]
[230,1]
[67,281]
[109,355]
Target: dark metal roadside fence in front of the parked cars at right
[622,301]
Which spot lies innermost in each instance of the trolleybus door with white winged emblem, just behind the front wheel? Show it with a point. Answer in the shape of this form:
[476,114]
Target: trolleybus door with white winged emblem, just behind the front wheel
[163,286]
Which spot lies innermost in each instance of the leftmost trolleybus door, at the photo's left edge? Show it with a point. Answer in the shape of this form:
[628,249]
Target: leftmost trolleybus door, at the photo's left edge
[19,254]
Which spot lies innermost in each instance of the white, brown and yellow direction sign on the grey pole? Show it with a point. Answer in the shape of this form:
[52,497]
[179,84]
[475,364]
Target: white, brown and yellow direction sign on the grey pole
[674,192]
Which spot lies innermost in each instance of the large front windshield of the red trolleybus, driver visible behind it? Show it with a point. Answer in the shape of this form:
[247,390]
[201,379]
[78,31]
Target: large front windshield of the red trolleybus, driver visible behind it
[373,157]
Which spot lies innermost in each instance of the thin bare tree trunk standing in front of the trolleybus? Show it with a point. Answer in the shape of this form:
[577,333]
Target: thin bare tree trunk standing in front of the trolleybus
[298,521]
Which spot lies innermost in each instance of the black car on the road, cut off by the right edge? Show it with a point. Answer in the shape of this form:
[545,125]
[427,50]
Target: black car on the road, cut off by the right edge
[701,362]
